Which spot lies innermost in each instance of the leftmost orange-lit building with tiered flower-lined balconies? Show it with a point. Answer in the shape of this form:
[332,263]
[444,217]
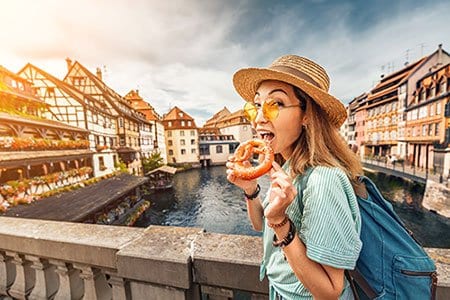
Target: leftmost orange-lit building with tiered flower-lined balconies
[36,154]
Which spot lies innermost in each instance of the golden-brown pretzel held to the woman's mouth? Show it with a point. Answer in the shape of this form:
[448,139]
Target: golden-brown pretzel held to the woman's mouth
[244,152]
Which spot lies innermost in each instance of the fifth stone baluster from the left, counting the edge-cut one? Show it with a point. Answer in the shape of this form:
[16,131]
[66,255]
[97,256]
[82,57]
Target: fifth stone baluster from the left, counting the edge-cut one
[95,283]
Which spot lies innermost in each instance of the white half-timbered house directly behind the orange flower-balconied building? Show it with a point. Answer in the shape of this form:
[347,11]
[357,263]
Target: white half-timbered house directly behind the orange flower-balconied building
[73,107]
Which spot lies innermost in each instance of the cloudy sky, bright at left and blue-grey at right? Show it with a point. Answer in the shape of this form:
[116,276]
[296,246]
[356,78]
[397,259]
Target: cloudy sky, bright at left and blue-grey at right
[184,52]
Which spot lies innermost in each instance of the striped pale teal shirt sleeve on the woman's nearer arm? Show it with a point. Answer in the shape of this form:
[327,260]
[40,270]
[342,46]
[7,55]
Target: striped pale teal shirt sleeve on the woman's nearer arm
[329,227]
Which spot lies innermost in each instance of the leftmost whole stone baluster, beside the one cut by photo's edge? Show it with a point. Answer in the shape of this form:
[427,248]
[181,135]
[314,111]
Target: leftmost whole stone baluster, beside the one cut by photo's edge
[25,276]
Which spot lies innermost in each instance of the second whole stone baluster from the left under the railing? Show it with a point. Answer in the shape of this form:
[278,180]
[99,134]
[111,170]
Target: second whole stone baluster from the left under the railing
[46,284]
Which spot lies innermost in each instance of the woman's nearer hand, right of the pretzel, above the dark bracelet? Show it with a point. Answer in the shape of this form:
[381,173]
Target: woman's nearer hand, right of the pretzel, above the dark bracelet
[282,193]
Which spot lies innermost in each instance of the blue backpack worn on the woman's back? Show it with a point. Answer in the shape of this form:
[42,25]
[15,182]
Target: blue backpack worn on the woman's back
[392,264]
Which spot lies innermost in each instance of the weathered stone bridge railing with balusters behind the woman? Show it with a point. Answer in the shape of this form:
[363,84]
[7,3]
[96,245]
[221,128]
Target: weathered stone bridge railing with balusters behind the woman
[56,260]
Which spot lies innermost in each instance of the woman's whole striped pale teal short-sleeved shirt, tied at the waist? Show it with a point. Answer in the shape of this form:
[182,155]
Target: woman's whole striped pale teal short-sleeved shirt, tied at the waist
[329,227]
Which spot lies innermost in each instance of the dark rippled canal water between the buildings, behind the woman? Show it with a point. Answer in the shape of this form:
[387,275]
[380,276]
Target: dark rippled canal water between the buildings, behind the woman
[204,198]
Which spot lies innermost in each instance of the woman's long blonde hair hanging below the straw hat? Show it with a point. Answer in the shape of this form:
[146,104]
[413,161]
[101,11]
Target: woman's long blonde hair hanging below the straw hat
[321,144]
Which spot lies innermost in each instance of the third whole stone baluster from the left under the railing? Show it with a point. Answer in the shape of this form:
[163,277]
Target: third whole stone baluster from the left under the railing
[70,284]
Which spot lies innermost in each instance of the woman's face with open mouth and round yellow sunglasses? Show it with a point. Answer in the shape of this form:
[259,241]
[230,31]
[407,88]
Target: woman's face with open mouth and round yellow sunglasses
[284,130]
